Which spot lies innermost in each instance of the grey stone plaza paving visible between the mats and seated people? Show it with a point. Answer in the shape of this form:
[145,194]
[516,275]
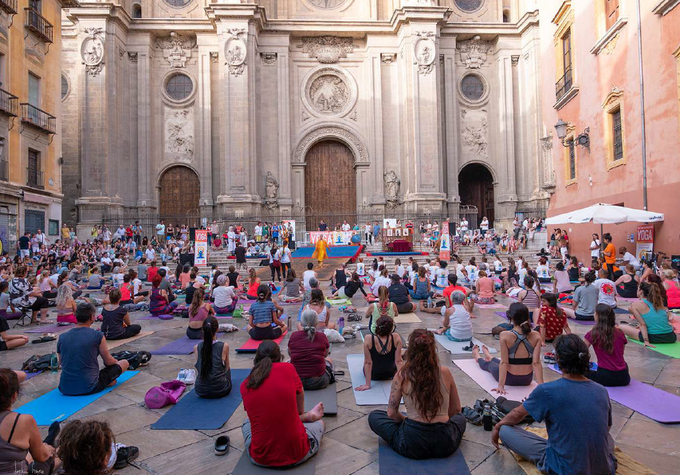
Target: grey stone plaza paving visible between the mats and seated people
[349,446]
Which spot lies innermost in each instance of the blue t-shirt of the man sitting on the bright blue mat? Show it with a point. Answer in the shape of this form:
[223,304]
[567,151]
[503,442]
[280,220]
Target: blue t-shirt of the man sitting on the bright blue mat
[79,350]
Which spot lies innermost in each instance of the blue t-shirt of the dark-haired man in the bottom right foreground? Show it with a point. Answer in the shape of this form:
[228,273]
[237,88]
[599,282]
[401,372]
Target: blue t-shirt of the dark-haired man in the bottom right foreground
[577,415]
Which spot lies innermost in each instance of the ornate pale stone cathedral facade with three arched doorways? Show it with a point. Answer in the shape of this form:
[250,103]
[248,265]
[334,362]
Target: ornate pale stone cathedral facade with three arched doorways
[235,108]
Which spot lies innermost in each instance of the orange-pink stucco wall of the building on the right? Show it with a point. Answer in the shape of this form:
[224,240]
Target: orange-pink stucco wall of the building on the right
[595,74]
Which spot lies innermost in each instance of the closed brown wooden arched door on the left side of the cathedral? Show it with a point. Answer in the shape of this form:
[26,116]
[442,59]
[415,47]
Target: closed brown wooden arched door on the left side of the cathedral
[179,195]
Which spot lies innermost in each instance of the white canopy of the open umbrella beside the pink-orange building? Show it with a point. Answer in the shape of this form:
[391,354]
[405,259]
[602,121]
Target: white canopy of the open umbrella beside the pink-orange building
[606,214]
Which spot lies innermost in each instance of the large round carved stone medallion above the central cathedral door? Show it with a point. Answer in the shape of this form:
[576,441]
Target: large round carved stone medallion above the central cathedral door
[329,91]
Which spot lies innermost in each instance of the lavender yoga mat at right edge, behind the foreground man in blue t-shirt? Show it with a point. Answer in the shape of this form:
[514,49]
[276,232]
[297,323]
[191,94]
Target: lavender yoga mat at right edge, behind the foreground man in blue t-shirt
[649,401]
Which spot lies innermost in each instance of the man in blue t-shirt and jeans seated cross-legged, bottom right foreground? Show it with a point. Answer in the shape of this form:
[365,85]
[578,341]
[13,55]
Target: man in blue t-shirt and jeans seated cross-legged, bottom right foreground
[577,414]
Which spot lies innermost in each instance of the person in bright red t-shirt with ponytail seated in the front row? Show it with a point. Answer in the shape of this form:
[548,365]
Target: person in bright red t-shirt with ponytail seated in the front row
[277,432]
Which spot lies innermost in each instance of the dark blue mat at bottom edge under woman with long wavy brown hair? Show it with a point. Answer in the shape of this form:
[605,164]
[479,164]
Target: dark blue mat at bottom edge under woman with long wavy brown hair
[391,463]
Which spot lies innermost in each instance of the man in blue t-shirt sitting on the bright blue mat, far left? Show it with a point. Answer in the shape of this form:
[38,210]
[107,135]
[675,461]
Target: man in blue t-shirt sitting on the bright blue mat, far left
[79,349]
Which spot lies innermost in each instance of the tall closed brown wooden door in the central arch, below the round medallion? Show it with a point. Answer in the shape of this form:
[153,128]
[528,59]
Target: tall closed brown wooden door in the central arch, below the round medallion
[330,184]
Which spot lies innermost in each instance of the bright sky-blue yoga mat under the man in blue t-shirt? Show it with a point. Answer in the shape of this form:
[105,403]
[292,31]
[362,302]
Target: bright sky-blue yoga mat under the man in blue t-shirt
[54,406]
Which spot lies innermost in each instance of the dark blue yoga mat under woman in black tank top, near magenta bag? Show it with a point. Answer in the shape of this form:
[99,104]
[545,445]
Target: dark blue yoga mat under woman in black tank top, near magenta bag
[195,413]
